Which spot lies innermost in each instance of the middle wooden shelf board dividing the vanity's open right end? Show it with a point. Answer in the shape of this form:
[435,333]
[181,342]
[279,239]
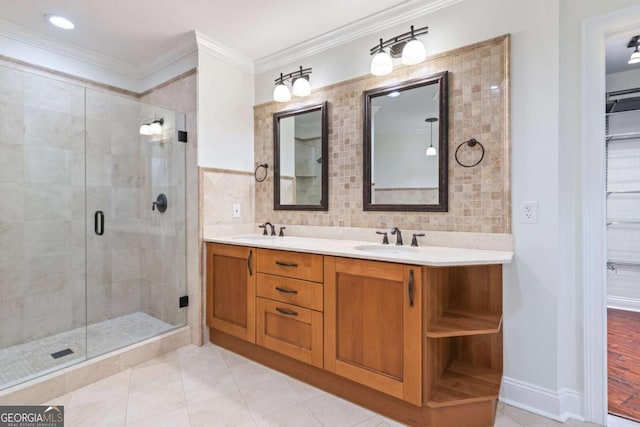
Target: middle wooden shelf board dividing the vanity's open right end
[461,322]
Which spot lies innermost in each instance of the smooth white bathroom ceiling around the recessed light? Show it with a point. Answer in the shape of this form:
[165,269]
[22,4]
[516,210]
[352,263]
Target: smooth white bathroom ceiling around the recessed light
[137,31]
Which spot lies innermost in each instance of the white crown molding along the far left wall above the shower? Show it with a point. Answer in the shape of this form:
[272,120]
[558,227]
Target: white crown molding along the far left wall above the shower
[32,38]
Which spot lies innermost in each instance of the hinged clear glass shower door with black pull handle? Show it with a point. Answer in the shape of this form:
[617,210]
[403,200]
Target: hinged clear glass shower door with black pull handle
[136,250]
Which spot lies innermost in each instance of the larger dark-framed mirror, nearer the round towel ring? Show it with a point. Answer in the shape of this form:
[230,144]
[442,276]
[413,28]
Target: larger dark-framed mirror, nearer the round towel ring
[406,146]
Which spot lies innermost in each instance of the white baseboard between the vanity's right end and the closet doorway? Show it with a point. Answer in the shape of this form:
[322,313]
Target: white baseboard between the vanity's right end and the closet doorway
[558,405]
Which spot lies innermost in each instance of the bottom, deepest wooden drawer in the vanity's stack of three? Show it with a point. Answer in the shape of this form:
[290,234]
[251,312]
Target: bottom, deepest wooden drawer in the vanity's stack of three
[290,330]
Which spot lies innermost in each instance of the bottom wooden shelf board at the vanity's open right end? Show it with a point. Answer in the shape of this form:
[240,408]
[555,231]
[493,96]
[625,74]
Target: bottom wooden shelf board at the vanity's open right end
[464,382]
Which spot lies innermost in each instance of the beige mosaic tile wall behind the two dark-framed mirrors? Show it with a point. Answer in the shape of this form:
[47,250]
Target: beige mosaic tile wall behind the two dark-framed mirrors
[479,197]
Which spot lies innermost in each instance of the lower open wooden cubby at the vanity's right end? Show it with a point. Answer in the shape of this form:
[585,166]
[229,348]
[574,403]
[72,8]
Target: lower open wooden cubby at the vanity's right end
[465,370]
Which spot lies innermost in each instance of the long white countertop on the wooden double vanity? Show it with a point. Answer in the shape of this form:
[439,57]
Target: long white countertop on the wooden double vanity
[423,255]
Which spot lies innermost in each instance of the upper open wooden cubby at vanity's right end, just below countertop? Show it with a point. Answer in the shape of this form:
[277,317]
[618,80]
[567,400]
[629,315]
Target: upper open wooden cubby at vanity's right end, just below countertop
[464,300]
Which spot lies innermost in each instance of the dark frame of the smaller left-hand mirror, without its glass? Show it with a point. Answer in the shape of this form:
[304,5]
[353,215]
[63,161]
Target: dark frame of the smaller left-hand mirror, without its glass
[324,203]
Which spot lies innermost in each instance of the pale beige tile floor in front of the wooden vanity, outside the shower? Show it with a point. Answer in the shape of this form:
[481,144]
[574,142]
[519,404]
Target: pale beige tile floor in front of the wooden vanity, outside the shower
[209,386]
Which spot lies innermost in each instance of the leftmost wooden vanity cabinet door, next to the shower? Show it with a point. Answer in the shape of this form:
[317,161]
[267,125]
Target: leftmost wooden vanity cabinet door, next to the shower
[231,290]
